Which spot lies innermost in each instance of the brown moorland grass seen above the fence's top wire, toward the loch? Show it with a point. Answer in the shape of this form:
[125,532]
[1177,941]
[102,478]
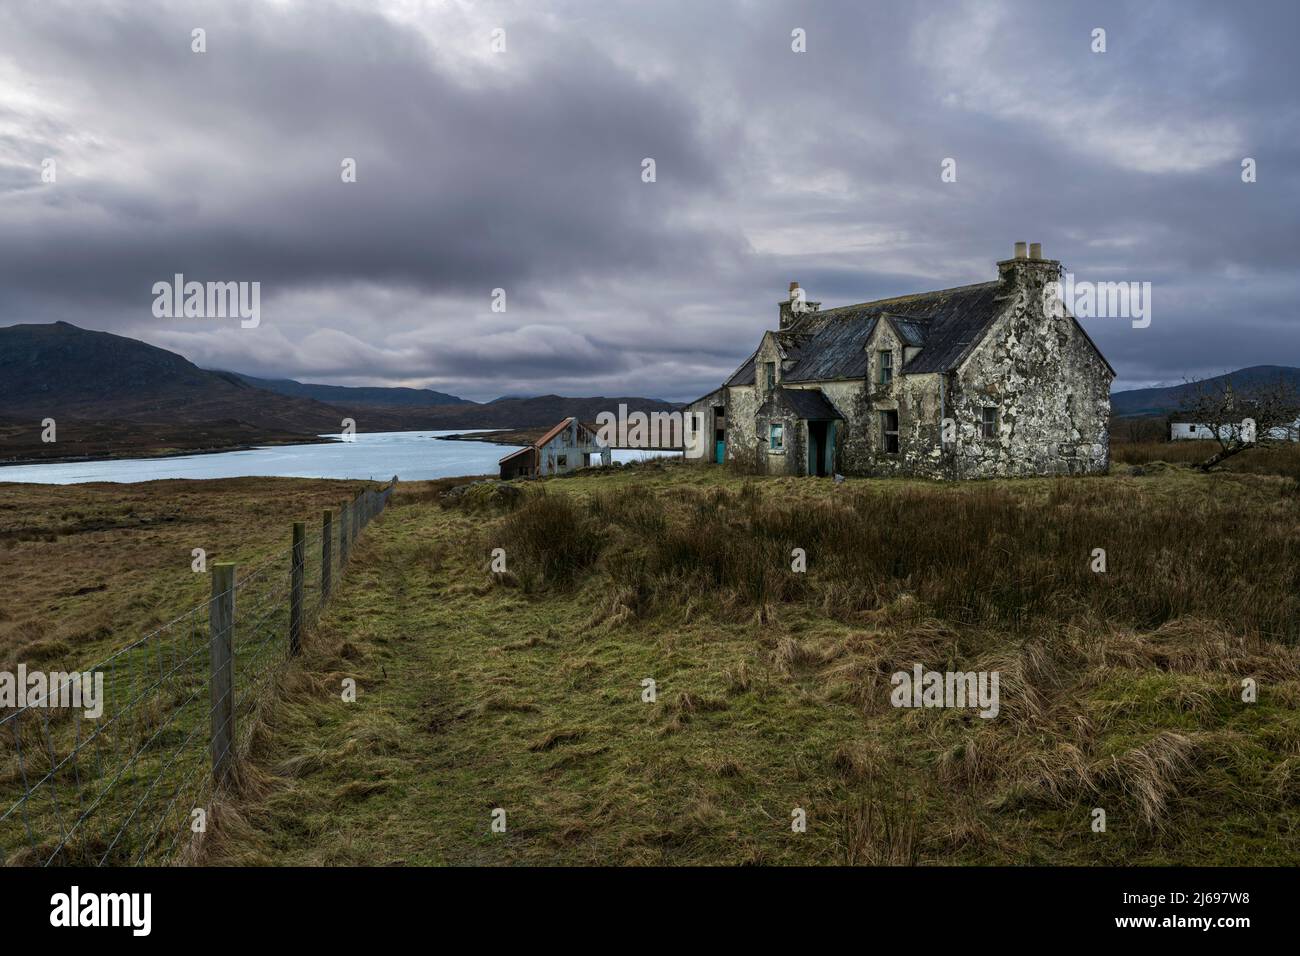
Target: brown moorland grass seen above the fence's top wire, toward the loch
[90,568]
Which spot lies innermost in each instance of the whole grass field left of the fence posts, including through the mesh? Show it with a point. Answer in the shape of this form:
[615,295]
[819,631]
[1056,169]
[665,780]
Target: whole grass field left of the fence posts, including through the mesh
[102,577]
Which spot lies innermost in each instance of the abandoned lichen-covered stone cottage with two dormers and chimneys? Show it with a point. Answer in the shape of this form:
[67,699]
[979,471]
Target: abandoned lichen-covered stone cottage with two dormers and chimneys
[977,382]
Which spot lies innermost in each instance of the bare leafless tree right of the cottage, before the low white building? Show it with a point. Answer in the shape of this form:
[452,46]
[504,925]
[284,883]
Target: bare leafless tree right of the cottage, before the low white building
[1241,419]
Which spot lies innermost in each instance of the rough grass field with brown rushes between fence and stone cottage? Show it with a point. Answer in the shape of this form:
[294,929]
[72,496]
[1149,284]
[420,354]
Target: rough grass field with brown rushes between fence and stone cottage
[523,690]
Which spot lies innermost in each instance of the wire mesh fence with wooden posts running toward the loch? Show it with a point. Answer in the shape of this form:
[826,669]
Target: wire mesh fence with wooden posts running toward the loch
[118,765]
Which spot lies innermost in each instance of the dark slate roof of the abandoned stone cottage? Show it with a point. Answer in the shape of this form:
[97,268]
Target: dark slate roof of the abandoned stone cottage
[946,325]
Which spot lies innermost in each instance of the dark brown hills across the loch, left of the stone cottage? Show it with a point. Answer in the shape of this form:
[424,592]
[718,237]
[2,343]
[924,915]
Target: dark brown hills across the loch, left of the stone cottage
[116,396]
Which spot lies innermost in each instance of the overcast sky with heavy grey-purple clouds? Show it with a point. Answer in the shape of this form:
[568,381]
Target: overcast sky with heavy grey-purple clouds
[523,171]
